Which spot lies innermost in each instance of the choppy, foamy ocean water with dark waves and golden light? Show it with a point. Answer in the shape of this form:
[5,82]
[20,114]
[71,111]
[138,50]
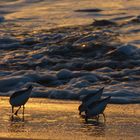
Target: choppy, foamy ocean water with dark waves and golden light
[69,48]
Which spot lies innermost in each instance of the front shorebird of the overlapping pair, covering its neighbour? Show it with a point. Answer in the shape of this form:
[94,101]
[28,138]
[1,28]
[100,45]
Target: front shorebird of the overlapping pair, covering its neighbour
[96,108]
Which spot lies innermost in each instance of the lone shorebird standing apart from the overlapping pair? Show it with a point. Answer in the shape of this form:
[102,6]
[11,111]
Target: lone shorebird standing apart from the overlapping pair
[19,98]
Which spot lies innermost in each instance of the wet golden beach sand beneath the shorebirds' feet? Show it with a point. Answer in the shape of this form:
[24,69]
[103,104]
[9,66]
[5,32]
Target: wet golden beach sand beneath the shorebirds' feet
[57,119]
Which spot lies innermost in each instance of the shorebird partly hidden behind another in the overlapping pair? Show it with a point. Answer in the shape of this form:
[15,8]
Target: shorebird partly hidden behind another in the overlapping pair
[90,99]
